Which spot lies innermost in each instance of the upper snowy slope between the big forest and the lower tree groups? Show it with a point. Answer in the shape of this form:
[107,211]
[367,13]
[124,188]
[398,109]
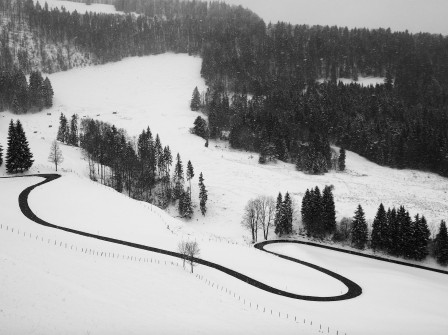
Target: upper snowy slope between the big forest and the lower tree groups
[155,91]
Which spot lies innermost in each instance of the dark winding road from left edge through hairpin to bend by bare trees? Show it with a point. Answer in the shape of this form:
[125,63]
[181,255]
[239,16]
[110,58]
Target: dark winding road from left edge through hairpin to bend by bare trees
[353,289]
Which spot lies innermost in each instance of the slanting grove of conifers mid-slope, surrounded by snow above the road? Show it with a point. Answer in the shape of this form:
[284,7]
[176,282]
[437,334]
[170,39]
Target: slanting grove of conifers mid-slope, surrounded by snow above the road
[143,168]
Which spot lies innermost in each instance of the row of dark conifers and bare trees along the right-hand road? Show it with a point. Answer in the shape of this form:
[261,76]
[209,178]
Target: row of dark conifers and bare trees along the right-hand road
[393,231]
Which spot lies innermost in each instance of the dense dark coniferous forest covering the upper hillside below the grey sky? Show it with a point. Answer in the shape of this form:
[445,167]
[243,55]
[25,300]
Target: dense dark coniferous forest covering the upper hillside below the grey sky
[262,78]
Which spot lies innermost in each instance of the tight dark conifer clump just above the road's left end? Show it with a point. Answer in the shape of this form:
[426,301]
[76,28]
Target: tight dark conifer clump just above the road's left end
[18,155]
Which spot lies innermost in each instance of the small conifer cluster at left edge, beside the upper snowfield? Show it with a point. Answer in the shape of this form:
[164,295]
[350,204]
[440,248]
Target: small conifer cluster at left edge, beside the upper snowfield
[19,96]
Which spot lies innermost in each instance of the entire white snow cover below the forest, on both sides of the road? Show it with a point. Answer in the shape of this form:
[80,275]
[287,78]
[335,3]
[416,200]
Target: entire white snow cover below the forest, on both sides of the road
[155,91]
